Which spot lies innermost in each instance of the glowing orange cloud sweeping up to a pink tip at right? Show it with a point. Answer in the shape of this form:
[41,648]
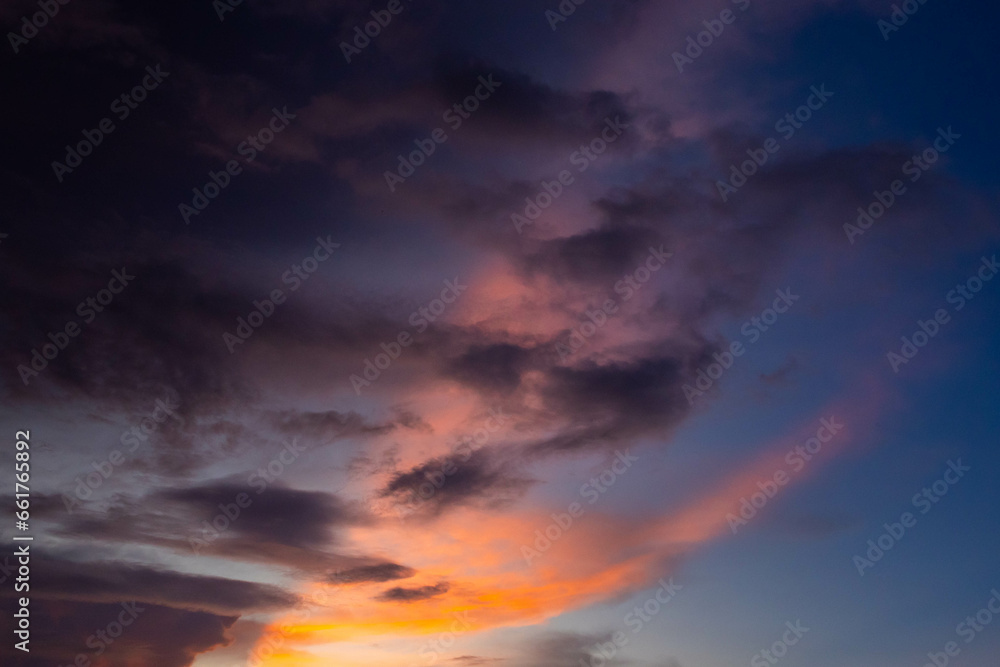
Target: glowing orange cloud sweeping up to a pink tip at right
[597,558]
